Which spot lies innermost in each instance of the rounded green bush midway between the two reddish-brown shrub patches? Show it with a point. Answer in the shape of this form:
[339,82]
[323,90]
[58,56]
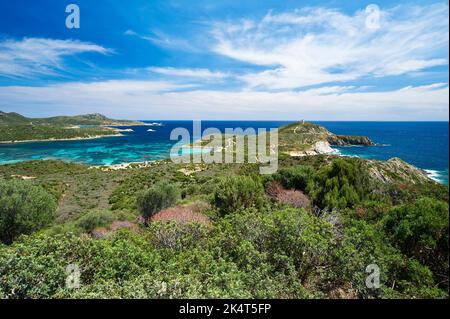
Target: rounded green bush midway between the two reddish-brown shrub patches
[234,193]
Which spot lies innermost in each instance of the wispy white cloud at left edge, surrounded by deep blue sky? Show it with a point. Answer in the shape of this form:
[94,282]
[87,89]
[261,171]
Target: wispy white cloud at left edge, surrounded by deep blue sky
[36,56]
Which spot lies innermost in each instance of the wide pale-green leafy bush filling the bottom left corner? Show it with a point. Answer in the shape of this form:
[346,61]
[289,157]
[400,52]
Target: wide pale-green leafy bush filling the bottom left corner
[117,259]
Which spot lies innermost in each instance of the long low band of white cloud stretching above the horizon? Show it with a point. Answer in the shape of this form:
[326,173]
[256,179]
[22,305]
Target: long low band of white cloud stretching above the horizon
[149,99]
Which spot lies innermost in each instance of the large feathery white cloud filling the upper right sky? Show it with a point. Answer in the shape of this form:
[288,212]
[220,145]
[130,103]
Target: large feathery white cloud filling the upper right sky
[316,45]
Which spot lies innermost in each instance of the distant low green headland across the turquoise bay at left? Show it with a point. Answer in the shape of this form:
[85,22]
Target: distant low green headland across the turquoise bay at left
[18,128]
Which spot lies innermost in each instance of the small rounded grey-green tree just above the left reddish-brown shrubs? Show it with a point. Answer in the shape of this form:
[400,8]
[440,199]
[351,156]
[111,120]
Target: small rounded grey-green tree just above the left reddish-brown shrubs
[156,198]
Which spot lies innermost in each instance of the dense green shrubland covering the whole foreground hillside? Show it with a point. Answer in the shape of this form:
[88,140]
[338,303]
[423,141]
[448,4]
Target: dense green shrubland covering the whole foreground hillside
[254,245]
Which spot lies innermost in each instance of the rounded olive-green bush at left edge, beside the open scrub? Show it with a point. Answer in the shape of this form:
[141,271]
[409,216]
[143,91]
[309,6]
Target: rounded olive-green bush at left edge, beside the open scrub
[24,208]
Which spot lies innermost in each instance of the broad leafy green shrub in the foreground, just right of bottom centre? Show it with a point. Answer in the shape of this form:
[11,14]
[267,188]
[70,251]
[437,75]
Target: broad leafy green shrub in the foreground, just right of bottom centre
[292,241]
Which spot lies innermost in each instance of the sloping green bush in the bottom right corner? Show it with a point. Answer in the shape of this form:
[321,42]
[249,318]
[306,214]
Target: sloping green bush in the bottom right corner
[364,244]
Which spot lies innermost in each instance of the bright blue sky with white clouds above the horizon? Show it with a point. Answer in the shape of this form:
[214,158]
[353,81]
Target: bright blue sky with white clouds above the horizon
[318,60]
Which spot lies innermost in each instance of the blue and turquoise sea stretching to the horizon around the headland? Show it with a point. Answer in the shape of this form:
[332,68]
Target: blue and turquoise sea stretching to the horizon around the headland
[423,144]
